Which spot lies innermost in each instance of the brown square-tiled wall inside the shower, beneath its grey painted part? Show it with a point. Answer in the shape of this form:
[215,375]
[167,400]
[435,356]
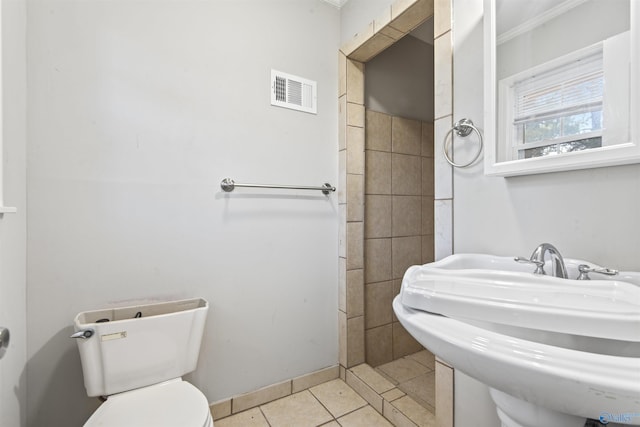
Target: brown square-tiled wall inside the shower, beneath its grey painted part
[395,206]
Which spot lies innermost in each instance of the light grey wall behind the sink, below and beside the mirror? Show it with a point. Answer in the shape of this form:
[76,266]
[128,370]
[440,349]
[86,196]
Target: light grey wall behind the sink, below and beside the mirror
[589,214]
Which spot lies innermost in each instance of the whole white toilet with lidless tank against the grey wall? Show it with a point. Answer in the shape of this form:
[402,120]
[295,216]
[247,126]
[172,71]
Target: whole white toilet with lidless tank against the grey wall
[136,356]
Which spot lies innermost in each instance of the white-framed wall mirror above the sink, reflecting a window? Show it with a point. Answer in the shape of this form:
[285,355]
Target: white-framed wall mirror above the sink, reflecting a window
[561,85]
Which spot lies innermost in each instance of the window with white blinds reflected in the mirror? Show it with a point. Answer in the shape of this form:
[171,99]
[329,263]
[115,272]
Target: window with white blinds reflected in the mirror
[556,109]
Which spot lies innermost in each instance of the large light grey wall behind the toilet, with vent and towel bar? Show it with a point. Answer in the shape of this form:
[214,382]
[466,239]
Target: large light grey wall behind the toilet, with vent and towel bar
[137,111]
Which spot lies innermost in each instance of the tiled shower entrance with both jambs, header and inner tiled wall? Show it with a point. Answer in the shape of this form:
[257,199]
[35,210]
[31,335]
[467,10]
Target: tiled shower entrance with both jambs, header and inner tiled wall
[369,331]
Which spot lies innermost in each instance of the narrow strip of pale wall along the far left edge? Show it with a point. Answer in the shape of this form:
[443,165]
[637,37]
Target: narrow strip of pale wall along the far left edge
[13,228]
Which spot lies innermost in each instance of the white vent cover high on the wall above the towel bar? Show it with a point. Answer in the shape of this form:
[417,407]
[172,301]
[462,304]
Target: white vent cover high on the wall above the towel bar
[293,92]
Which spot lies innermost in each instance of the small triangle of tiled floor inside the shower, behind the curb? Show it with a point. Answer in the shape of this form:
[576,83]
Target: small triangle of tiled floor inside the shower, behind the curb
[414,375]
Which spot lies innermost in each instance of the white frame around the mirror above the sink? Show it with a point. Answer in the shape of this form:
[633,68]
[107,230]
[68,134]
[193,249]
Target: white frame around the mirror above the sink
[620,154]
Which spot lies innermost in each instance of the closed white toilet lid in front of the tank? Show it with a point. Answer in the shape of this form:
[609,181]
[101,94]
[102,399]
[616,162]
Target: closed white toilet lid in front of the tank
[168,404]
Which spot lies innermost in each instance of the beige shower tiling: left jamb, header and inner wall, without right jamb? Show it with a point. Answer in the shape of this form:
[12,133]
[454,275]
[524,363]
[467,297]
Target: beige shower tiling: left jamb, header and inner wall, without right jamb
[386,166]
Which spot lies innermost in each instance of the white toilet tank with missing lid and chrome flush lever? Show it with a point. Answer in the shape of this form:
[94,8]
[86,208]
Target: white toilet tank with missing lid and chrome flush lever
[131,347]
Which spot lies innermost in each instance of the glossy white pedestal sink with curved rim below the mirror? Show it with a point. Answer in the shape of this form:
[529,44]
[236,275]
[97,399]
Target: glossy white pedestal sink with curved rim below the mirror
[554,352]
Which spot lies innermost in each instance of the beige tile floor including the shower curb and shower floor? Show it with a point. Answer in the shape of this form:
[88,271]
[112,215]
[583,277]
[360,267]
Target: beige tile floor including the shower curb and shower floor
[397,390]
